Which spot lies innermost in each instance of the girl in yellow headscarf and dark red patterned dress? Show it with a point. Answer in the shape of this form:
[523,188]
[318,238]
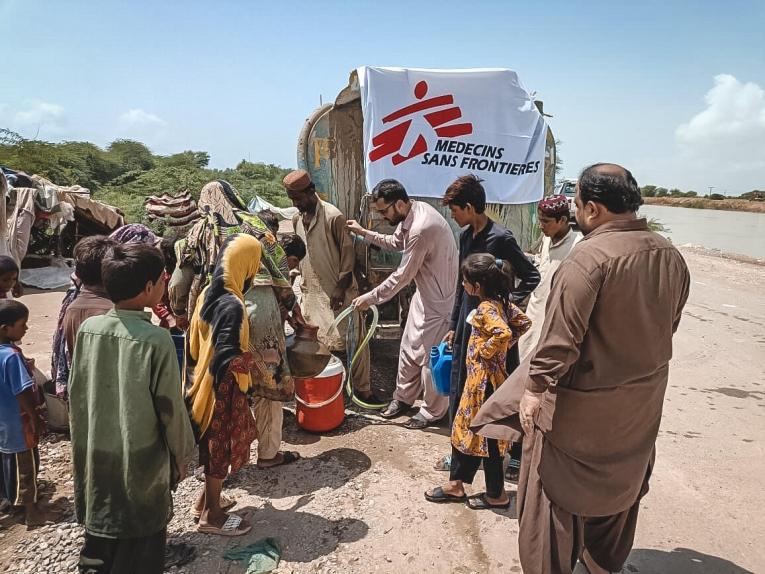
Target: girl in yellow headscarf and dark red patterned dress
[219,339]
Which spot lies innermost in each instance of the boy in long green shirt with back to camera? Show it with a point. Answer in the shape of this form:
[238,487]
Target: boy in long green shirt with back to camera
[131,435]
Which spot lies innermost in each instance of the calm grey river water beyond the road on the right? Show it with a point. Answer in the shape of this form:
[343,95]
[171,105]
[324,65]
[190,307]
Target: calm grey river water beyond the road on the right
[730,231]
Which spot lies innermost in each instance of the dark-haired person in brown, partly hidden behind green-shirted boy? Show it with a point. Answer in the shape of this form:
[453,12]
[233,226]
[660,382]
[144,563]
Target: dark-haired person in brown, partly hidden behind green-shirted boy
[93,300]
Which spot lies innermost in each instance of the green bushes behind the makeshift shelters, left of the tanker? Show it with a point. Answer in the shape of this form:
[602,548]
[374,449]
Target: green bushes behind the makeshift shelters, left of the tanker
[126,171]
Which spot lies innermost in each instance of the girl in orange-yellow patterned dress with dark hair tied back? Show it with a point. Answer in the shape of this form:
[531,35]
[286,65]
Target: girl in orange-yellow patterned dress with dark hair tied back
[497,326]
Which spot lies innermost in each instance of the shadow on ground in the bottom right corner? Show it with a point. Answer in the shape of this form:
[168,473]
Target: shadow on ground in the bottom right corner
[679,561]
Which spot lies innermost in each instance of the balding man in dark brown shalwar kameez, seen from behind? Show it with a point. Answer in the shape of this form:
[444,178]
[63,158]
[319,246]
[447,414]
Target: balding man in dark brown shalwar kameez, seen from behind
[594,385]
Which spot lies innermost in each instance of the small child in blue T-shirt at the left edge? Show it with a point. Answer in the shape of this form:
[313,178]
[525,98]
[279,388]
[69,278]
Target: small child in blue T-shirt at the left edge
[21,423]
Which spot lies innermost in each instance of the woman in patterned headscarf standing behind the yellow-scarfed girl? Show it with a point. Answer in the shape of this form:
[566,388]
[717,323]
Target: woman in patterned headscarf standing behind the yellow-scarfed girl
[269,301]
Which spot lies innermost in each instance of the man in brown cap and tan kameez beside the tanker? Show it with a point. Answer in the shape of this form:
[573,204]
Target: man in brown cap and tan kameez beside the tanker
[328,285]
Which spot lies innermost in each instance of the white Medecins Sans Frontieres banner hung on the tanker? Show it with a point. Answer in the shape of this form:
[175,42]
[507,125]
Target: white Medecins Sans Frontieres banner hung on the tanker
[425,128]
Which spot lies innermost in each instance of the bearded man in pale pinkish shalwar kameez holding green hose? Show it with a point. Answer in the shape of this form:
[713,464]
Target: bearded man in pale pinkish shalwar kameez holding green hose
[430,259]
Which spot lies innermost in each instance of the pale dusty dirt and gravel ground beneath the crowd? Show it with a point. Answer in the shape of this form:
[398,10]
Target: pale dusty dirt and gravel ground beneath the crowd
[355,503]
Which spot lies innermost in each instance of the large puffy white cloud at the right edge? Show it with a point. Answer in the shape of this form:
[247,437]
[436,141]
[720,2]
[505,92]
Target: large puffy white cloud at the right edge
[731,129]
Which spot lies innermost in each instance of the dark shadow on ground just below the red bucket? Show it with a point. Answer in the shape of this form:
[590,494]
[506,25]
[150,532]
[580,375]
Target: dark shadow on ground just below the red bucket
[330,469]
